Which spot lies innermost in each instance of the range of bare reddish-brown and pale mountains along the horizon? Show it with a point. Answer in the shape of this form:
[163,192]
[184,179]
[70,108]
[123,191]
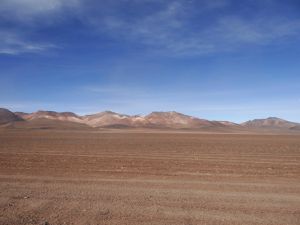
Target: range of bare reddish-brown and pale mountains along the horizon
[158,120]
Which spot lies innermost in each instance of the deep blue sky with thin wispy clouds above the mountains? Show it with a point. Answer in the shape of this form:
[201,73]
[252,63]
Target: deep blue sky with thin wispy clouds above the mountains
[215,59]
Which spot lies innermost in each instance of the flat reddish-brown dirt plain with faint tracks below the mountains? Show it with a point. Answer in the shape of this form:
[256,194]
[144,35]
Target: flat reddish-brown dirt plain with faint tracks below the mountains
[60,177]
